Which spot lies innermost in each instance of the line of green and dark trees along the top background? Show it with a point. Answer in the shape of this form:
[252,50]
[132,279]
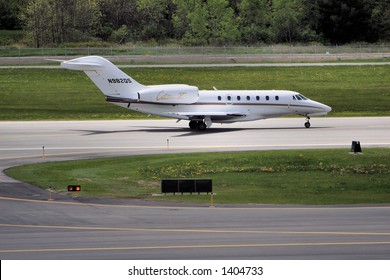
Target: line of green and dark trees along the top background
[198,22]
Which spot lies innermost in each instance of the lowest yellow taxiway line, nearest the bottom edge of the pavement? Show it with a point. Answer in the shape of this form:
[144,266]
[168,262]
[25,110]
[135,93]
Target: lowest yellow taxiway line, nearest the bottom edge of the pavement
[205,246]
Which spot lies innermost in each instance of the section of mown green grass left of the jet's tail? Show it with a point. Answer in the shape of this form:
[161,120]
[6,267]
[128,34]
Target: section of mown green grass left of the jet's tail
[36,94]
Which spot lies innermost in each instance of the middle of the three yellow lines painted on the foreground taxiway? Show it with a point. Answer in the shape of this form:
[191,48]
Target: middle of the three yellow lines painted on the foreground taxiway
[199,230]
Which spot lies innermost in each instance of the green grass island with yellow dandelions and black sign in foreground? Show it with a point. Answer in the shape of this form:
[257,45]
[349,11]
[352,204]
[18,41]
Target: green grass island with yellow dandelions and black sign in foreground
[307,177]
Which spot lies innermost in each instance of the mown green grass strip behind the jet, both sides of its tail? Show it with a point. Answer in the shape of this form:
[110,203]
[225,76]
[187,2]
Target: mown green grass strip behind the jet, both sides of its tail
[56,94]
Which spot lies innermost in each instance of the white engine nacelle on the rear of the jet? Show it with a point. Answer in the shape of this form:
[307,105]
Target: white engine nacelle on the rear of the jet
[169,94]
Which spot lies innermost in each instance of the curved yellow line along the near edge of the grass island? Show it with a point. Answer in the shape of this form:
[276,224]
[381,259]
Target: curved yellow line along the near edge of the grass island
[204,207]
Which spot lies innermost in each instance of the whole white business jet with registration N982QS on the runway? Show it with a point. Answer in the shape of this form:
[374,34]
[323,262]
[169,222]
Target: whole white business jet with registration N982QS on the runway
[184,102]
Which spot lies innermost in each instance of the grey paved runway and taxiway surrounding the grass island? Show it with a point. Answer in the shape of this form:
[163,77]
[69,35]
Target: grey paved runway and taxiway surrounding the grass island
[33,228]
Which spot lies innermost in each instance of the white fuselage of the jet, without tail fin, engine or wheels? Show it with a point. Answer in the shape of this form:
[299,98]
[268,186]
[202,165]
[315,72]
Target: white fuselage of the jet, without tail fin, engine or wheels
[242,105]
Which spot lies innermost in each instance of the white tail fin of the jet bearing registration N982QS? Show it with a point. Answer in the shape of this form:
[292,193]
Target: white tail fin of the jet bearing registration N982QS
[106,76]
